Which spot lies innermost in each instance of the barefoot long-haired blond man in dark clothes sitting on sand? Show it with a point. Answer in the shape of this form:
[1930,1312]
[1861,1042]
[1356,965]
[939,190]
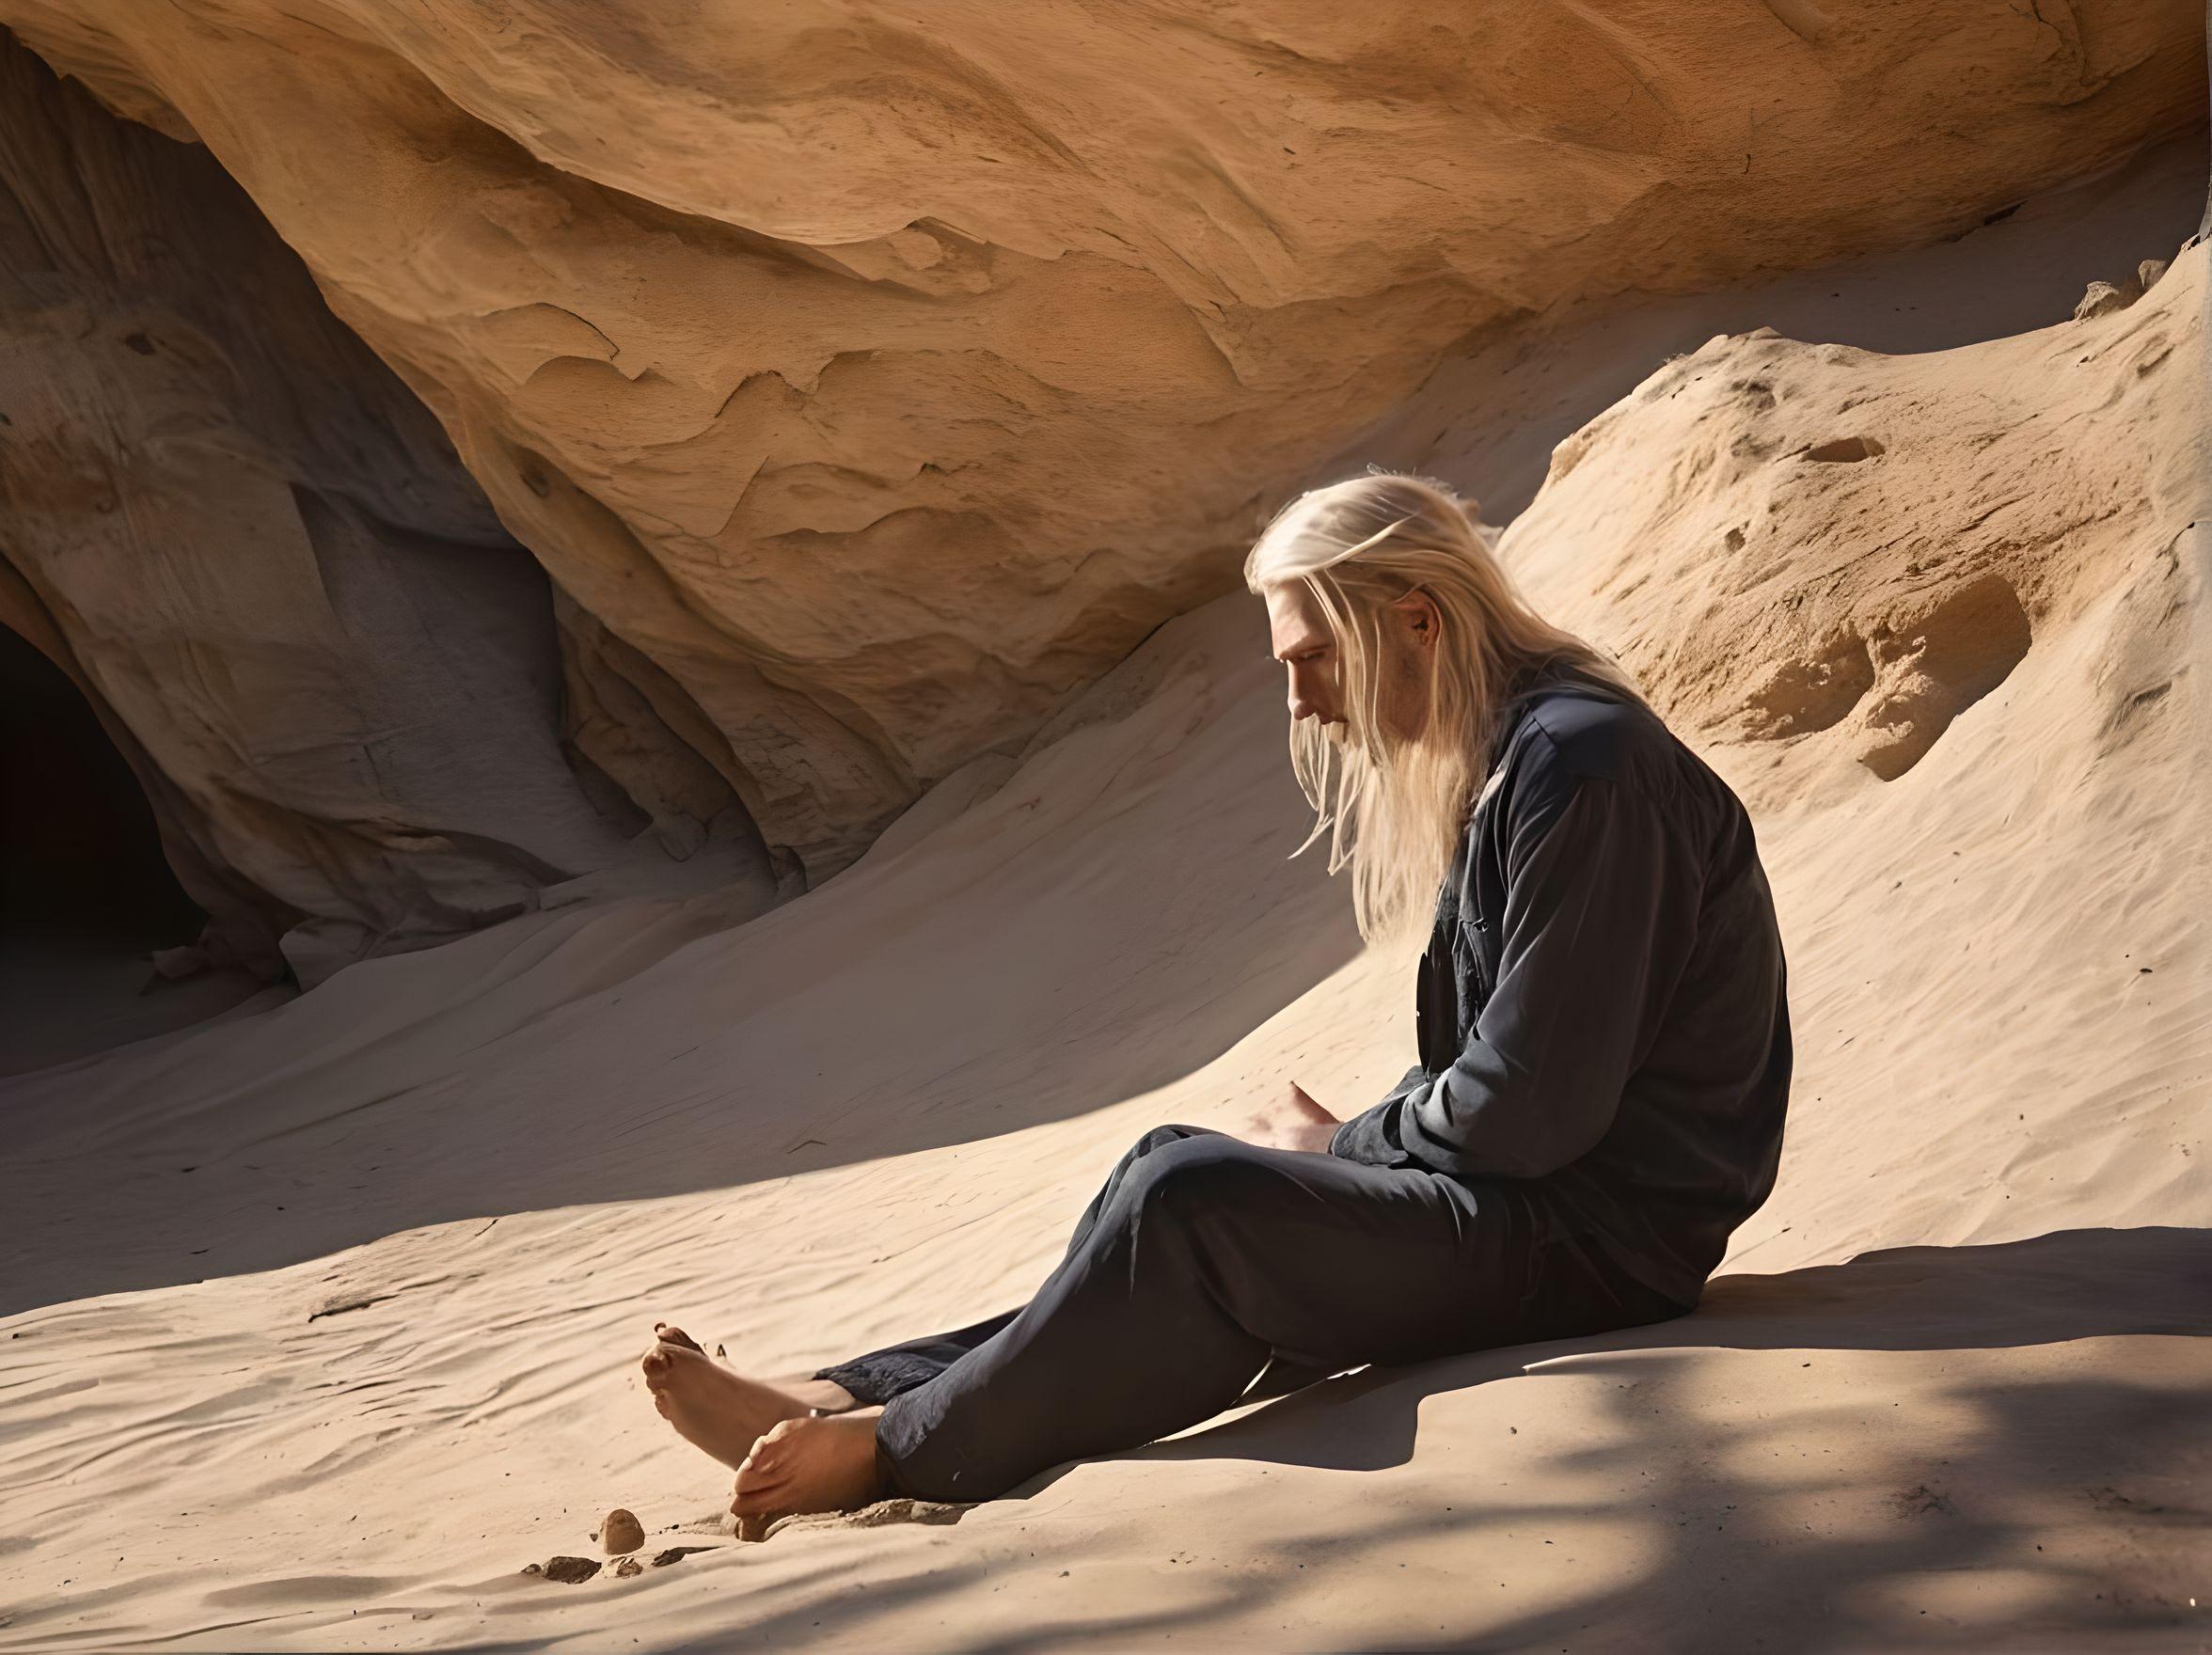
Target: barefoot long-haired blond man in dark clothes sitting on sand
[1605,1063]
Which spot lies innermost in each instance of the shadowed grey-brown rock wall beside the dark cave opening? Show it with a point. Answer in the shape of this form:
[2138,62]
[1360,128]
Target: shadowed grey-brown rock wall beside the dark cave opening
[253,550]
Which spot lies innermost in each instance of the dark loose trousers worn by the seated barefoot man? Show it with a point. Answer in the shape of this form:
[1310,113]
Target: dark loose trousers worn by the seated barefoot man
[1204,1262]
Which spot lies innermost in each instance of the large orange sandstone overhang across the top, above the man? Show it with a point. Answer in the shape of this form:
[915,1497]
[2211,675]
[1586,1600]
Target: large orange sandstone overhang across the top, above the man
[870,379]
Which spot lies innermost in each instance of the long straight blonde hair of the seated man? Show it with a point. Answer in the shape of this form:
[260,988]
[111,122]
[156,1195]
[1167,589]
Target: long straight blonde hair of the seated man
[1401,806]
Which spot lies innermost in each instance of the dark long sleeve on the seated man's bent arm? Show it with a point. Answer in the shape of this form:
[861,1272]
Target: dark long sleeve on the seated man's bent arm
[1603,902]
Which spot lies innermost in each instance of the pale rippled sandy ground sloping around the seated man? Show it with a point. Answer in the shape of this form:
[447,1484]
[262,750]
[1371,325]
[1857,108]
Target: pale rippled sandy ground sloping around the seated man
[322,1322]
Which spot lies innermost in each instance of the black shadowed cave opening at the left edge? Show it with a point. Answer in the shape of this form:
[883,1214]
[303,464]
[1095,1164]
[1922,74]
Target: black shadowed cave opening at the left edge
[85,891]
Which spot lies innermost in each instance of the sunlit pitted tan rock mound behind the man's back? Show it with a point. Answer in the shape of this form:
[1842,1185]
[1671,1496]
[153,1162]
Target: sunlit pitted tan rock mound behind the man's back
[1837,554]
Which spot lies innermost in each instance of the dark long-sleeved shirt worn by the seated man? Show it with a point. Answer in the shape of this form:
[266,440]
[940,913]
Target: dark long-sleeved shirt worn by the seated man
[1603,1014]
